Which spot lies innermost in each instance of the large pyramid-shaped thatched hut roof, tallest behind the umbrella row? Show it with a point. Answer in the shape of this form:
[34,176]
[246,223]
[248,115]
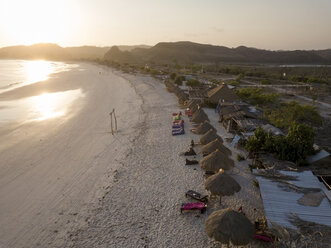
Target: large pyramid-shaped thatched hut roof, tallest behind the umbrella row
[221,93]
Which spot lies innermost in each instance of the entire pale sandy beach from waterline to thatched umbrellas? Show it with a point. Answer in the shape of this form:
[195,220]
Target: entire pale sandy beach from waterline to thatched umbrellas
[76,185]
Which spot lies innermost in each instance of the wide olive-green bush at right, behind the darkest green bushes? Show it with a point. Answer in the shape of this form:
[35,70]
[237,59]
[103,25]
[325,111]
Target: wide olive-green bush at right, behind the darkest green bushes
[290,112]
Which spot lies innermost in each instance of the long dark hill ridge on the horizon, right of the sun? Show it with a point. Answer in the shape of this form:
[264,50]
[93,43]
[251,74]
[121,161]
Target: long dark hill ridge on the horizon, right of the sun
[189,52]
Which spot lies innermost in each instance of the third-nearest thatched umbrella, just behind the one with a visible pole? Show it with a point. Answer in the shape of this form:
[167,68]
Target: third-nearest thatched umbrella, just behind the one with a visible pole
[216,161]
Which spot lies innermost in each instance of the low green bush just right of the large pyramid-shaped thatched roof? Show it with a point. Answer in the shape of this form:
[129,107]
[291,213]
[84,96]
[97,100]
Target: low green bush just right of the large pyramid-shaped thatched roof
[256,97]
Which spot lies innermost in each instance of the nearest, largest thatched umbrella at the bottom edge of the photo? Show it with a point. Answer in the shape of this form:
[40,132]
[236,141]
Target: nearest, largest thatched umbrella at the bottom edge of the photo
[227,226]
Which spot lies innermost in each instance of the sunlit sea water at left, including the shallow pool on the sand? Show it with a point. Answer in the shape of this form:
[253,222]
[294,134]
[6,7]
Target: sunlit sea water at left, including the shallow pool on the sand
[15,74]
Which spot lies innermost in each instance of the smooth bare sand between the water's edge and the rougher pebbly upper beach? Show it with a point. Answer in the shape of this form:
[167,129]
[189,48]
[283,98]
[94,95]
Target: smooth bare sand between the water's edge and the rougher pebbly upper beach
[53,172]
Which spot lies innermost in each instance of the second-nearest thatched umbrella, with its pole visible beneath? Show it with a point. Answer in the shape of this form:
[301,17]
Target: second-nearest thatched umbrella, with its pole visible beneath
[222,184]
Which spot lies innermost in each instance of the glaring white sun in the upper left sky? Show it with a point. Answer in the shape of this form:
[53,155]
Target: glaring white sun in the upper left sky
[35,21]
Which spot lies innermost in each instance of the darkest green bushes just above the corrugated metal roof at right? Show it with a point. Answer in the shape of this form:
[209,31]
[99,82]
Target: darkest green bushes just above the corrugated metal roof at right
[295,146]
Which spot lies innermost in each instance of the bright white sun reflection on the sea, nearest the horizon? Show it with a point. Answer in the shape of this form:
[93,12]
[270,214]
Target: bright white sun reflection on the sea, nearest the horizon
[38,70]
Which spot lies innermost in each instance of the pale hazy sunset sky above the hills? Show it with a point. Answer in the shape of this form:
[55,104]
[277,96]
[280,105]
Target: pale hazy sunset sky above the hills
[269,24]
